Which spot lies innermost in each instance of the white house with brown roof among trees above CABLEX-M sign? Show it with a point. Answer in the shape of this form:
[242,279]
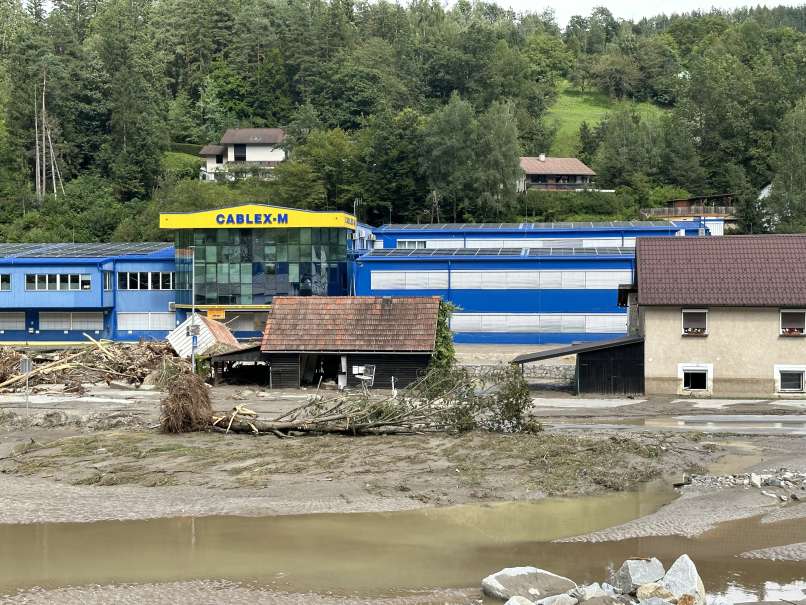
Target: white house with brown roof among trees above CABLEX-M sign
[243,151]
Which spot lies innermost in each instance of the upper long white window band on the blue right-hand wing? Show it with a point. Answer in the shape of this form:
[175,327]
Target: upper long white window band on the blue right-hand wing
[500,280]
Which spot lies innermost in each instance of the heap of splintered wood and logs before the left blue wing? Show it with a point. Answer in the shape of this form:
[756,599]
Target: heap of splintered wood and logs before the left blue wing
[98,362]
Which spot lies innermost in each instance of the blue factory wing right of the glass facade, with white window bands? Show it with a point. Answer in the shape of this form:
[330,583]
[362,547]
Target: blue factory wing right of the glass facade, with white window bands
[528,283]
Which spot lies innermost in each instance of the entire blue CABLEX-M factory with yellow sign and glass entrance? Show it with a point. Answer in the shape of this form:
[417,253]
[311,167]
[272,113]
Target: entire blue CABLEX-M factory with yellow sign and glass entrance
[510,283]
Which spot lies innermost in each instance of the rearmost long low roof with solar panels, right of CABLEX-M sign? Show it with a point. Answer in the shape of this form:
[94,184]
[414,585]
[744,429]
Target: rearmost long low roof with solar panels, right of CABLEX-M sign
[531,227]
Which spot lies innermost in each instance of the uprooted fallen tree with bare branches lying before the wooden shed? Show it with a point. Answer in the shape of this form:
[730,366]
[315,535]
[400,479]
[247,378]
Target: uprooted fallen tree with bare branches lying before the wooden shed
[450,401]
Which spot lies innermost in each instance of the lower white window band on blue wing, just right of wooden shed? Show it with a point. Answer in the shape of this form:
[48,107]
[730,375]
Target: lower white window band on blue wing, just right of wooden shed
[594,323]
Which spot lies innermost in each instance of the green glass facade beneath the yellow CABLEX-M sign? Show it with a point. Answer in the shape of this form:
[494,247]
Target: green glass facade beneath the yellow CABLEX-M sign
[250,266]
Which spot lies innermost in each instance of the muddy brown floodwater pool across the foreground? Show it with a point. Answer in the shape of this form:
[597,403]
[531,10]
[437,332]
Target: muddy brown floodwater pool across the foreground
[374,554]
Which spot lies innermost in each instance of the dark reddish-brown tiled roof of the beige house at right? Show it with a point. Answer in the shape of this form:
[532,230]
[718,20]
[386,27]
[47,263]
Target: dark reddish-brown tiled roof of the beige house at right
[747,270]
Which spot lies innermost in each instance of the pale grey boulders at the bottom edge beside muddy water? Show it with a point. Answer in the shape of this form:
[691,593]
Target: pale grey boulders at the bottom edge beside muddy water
[643,581]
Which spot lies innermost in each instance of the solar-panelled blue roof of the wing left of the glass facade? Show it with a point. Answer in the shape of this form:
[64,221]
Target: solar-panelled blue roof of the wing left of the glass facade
[86,252]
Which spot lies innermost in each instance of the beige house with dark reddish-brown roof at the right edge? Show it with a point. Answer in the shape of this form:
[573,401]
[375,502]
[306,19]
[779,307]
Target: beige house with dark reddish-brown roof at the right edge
[723,317]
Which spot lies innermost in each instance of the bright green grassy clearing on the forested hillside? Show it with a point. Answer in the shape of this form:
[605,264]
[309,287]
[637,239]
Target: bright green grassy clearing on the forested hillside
[572,108]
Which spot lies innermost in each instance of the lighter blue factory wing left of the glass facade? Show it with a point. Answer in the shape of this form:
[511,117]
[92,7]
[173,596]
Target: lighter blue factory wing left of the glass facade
[52,294]
